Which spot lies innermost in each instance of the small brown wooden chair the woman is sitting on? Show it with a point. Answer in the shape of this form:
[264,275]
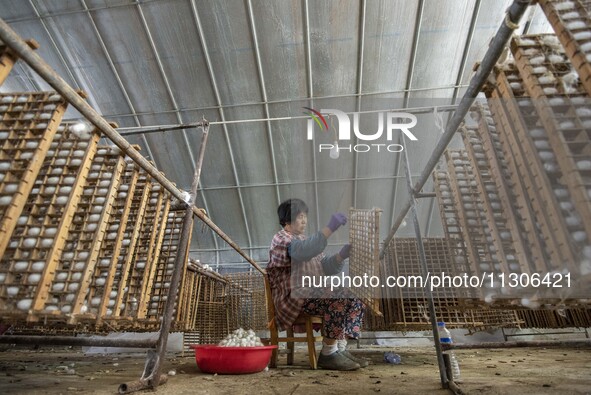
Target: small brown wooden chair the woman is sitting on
[305,320]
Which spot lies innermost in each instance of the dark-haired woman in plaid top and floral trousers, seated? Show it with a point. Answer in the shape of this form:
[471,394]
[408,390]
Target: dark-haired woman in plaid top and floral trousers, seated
[292,255]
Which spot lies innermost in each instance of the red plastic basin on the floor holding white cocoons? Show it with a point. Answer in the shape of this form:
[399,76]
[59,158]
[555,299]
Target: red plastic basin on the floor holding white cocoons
[232,360]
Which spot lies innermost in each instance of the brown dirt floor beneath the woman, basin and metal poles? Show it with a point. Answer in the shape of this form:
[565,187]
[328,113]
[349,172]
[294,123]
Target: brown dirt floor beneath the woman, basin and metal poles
[509,371]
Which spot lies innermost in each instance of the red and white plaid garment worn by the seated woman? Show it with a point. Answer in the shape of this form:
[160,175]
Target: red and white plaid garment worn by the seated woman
[279,268]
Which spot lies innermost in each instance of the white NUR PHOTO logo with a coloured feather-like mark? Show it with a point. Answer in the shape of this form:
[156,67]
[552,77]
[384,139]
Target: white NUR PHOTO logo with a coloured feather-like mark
[395,121]
